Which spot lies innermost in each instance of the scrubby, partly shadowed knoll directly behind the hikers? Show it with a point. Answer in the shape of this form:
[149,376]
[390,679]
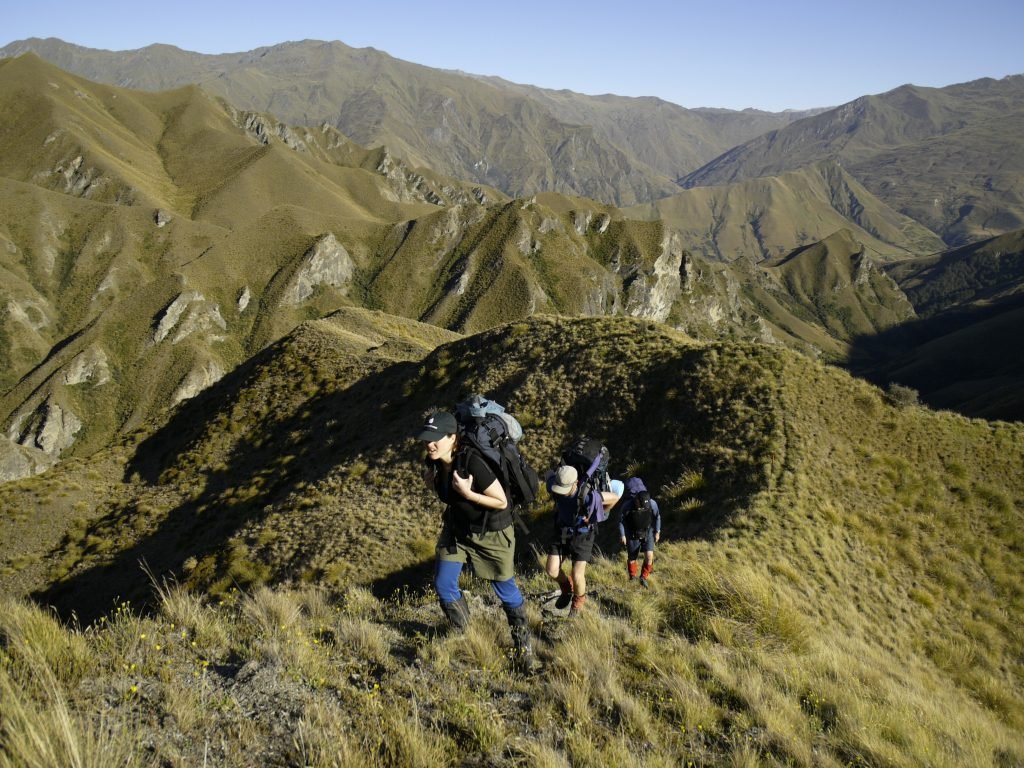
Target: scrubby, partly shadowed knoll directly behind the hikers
[298,467]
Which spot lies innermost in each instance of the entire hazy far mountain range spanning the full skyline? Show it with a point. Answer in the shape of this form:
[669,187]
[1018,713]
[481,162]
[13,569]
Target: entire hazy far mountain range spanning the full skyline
[949,158]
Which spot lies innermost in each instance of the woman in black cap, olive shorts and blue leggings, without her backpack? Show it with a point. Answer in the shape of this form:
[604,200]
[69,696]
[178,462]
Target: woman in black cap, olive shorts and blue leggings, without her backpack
[478,529]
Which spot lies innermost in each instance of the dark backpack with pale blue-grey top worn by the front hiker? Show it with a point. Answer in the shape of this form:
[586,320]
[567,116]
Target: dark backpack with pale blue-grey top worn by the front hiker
[486,428]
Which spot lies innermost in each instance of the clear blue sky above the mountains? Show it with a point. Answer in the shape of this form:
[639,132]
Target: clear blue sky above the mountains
[771,56]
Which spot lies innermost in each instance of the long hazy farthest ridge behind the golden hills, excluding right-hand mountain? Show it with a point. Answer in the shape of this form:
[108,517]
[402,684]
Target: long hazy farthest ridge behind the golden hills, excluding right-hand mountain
[519,139]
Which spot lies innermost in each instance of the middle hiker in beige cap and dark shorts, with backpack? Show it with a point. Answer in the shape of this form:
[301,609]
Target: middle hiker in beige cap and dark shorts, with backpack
[583,498]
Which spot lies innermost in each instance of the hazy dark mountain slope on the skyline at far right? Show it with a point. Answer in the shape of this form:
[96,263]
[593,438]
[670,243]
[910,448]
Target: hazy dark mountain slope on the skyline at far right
[951,158]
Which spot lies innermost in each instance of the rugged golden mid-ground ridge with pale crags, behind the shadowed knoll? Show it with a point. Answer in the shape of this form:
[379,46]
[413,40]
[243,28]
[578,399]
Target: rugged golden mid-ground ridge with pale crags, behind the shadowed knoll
[153,242]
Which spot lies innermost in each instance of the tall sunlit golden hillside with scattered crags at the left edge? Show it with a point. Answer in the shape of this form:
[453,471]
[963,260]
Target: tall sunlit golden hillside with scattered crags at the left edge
[153,242]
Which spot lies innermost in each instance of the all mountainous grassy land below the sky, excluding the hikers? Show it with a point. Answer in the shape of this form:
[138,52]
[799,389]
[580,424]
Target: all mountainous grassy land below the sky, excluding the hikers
[232,286]
